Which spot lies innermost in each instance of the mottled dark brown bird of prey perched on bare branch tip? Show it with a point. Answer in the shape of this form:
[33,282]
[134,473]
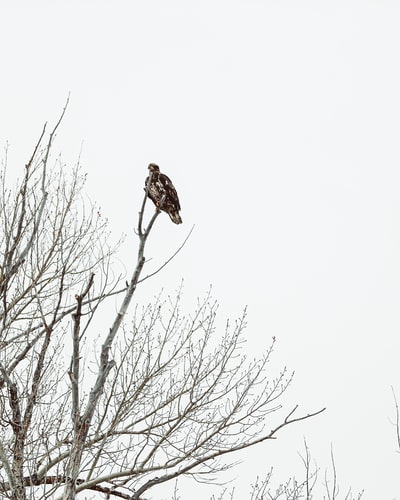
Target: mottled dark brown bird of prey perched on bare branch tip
[162,193]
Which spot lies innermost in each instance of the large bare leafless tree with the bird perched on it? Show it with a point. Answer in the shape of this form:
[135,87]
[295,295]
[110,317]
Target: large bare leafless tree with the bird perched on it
[169,395]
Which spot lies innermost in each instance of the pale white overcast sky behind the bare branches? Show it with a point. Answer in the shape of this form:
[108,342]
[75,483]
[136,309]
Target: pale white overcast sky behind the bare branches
[279,124]
